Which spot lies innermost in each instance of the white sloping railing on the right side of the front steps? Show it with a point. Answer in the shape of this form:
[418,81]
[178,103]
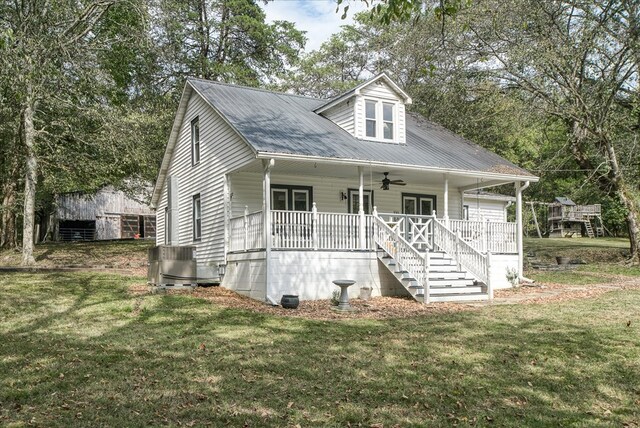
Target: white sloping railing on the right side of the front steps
[465,255]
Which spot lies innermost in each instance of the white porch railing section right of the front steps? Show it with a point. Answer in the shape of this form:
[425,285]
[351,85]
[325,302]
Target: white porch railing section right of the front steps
[493,236]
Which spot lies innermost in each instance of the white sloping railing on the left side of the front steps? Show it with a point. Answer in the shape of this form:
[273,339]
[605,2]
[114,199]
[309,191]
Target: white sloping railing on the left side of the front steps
[406,256]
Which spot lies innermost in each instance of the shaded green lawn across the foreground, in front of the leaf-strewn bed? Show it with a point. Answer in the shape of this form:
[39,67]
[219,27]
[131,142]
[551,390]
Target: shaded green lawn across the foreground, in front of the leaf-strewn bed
[77,349]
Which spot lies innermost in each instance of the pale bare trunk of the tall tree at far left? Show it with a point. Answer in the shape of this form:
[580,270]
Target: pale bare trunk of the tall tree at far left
[31,177]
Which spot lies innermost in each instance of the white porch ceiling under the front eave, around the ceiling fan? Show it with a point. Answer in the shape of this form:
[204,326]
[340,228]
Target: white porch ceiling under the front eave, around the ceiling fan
[374,173]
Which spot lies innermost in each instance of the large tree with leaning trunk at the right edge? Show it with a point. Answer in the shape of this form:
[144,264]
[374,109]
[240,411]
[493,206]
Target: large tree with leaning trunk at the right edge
[578,61]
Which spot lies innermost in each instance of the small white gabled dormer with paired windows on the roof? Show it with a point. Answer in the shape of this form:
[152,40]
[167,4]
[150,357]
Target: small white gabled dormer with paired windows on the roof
[373,110]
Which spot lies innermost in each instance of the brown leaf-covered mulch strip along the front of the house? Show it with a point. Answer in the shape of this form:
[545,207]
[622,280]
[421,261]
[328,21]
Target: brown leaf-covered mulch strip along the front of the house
[399,307]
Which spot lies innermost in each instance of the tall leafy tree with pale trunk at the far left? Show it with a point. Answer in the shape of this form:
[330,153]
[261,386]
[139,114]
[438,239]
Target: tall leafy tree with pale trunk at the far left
[48,52]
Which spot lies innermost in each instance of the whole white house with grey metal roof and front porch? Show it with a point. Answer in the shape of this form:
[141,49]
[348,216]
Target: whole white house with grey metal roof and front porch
[282,194]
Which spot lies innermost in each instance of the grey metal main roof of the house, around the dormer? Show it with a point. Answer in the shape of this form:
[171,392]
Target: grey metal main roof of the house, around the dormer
[286,124]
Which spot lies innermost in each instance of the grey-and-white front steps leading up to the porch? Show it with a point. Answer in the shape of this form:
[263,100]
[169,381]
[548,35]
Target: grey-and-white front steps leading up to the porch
[446,282]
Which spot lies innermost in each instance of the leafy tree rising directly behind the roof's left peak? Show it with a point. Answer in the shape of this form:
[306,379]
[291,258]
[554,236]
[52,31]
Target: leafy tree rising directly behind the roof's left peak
[224,40]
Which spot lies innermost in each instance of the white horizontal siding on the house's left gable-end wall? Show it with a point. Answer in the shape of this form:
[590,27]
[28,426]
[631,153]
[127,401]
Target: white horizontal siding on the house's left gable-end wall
[222,150]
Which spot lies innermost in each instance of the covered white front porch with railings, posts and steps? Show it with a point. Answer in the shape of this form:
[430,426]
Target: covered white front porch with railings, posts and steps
[288,217]
